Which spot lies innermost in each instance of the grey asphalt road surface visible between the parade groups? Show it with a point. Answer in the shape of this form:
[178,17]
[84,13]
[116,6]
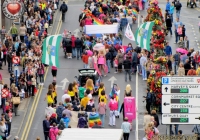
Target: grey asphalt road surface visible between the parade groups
[69,68]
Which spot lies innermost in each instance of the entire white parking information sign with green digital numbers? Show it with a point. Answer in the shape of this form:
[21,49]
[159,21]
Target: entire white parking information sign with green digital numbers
[180,100]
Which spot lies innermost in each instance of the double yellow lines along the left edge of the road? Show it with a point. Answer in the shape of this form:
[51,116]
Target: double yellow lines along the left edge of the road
[29,121]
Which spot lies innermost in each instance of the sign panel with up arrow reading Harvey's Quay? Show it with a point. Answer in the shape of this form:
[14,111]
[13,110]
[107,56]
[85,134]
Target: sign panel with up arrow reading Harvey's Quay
[180,89]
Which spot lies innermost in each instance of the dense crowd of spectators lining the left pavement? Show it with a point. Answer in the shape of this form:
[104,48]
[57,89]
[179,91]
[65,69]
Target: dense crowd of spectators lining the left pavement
[24,42]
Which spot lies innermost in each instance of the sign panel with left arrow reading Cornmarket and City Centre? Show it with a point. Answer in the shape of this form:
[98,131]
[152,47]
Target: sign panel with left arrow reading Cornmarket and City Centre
[180,104]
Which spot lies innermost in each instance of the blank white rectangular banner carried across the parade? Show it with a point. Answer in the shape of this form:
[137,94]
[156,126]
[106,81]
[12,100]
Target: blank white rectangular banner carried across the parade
[101,29]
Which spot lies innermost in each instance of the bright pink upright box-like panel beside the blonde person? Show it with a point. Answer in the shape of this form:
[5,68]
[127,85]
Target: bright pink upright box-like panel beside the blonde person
[130,108]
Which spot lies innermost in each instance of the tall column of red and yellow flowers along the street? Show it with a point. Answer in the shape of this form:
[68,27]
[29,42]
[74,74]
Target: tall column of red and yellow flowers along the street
[158,57]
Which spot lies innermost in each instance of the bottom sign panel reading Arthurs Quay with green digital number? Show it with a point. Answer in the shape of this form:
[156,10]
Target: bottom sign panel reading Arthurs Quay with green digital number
[180,119]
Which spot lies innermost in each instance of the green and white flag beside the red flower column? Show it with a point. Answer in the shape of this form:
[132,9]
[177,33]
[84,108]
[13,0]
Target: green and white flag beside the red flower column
[143,35]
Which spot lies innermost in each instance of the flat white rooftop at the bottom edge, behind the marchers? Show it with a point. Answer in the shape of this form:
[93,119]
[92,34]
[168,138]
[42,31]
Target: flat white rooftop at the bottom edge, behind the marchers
[91,134]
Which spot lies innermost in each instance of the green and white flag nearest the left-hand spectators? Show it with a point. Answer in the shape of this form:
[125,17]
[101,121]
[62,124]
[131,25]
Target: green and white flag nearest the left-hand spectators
[50,53]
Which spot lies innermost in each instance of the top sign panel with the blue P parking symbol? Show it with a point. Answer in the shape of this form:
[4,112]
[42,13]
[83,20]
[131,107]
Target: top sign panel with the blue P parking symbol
[175,80]
